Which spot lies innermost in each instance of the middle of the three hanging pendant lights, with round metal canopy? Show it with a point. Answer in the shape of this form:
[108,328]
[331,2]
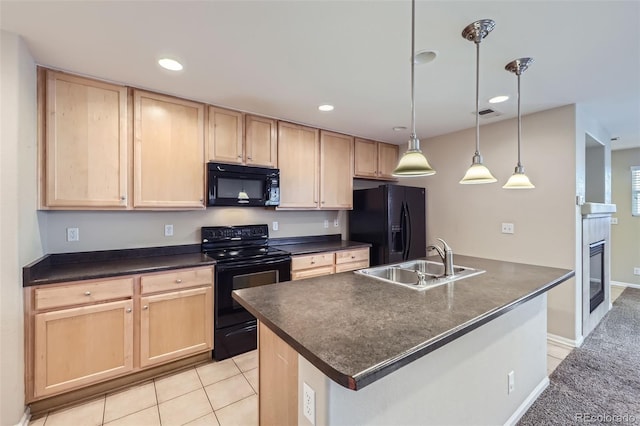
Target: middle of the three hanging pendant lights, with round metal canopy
[478,173]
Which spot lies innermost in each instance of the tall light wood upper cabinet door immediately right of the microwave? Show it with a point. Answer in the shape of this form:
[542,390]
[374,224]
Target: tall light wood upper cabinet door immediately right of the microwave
[298,160]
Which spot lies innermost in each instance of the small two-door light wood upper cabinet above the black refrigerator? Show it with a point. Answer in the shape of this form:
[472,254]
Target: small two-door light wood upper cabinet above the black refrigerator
[374,160]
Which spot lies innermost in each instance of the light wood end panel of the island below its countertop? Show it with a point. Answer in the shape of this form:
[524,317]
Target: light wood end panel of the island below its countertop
[278,380]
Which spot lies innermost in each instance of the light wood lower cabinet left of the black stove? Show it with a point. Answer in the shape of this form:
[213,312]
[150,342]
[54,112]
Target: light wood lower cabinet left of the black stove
[82,333]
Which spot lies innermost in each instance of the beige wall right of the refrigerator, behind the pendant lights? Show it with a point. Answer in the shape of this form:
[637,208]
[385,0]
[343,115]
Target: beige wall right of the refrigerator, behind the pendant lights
[469,217]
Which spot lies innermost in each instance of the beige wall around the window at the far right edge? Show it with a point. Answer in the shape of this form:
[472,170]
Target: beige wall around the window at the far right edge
[625,236]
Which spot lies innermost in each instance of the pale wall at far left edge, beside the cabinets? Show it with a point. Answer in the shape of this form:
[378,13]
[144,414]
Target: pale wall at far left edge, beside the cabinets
[19,230]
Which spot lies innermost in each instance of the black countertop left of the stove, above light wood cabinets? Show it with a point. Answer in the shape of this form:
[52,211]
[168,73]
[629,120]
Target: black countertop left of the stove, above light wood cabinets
[55,268]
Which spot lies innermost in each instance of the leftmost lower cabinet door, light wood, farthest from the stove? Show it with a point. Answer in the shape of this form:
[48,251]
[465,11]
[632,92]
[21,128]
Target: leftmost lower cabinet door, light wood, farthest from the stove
[82,345]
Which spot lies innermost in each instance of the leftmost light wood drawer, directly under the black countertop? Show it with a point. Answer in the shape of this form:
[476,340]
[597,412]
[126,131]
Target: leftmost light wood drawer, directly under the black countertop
[83,292]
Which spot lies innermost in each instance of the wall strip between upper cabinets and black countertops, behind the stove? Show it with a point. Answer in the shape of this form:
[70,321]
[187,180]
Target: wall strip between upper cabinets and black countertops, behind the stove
[118,230]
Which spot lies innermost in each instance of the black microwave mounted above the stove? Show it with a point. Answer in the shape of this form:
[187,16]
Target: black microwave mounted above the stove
[242,186]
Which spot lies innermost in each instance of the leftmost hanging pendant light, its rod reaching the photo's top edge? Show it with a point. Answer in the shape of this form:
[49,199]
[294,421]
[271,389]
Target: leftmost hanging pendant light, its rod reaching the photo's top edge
[413,163]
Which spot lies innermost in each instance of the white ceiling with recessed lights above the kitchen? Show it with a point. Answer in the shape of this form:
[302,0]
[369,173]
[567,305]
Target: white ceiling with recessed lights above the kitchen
[284,58]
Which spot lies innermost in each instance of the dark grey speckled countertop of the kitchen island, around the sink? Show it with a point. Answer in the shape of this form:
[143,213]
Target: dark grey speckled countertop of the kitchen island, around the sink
[357,329]
